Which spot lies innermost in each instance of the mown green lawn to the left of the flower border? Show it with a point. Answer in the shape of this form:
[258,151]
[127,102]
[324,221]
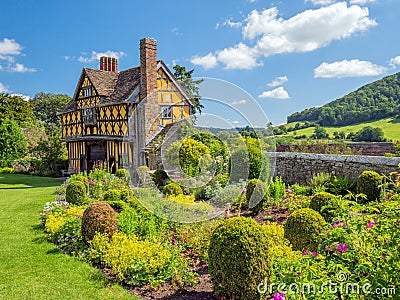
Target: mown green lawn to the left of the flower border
[31,267]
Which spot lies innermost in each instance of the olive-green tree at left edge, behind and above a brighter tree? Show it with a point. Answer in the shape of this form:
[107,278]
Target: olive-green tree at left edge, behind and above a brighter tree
[16,108]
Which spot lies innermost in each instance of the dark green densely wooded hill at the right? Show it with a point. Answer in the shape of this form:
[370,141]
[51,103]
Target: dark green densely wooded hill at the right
[375,101]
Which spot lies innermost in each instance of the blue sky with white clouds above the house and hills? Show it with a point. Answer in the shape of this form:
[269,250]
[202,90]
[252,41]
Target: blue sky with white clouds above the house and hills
[288,55]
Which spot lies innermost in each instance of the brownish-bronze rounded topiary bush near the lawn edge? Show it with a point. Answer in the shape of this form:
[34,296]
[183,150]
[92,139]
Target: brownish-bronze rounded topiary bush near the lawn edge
[99,217]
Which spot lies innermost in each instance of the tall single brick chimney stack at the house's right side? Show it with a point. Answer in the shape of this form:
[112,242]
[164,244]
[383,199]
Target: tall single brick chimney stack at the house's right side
[148,66]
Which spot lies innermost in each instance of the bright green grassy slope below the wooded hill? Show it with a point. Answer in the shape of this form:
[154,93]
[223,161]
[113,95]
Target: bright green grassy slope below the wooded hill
[390,127]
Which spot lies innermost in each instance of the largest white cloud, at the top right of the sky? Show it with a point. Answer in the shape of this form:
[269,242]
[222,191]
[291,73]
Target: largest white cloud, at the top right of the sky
[307,31]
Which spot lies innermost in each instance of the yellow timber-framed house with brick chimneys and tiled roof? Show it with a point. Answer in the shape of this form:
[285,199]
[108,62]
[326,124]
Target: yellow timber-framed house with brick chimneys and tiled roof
[113,116]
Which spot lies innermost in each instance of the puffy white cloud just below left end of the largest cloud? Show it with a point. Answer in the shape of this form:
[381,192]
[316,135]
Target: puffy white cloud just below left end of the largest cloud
[238,57]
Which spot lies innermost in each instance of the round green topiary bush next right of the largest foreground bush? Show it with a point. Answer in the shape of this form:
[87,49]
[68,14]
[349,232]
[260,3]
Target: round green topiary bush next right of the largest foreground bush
[302,229]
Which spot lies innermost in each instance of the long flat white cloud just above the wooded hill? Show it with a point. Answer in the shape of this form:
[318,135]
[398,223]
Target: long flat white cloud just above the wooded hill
[348,68]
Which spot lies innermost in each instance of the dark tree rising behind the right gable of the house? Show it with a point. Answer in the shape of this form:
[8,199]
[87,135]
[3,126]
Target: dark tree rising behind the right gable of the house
[190,86]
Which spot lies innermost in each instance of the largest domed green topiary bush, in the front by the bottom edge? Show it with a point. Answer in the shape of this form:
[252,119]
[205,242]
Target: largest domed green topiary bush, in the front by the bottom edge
[238,258]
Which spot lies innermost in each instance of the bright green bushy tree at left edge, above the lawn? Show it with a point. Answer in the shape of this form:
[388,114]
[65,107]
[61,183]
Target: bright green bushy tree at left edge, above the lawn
[12,142]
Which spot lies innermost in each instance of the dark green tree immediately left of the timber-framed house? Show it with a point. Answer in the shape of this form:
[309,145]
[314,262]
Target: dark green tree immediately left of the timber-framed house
[45,107]
